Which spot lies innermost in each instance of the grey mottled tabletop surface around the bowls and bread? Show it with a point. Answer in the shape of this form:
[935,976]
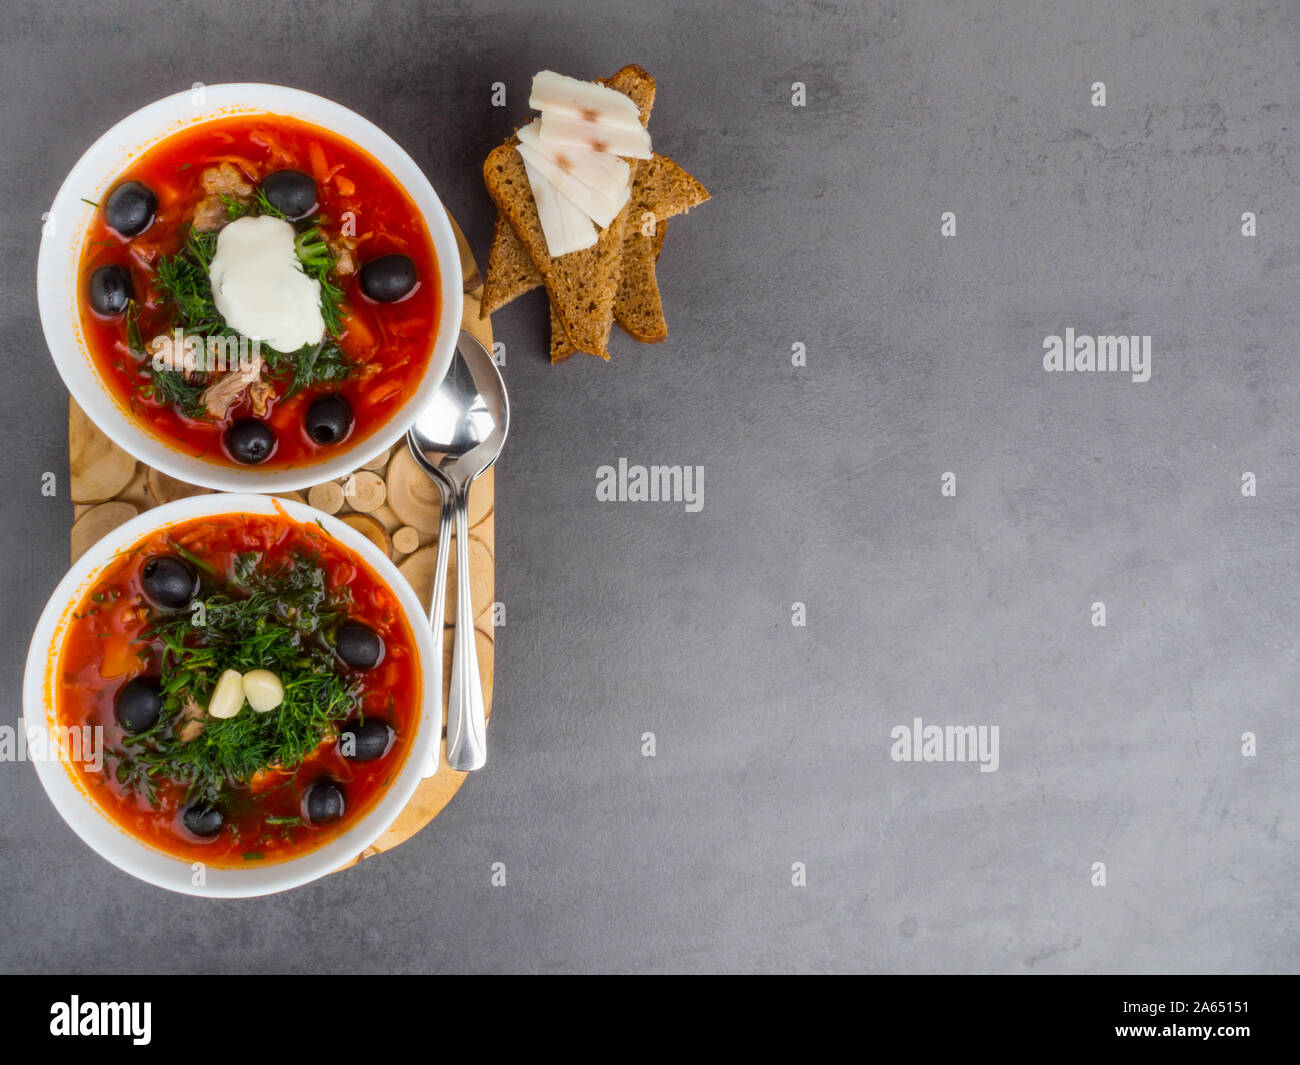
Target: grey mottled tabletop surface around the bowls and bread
[822,487]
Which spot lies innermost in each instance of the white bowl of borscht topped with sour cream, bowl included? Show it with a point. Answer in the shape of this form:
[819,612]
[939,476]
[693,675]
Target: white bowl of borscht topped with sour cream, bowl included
[250,288]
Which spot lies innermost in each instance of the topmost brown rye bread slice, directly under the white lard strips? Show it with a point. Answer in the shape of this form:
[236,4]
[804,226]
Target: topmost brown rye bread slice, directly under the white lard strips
[582,285]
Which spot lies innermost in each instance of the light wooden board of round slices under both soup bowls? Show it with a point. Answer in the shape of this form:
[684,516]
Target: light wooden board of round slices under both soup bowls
[391,501]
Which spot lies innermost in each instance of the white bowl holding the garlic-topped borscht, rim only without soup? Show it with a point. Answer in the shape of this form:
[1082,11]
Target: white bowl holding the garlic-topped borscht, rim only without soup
[125,851]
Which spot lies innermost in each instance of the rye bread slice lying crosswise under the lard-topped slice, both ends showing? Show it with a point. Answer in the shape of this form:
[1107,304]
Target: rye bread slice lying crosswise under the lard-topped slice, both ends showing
[662,188]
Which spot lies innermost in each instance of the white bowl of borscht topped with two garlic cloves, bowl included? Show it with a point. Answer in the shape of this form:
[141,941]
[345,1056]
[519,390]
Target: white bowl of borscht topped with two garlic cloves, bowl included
[232,696]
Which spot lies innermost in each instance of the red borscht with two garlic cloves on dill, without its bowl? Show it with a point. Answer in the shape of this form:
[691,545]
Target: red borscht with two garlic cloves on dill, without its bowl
[255,686]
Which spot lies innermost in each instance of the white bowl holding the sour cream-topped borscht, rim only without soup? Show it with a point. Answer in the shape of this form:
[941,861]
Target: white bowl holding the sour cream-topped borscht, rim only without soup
[71,219]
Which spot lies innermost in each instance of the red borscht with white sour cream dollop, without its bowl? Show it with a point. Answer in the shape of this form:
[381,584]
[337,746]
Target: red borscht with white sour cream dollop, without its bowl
[259,292]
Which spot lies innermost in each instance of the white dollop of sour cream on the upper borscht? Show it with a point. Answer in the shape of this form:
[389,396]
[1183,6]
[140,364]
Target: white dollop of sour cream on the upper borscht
[259,285]
